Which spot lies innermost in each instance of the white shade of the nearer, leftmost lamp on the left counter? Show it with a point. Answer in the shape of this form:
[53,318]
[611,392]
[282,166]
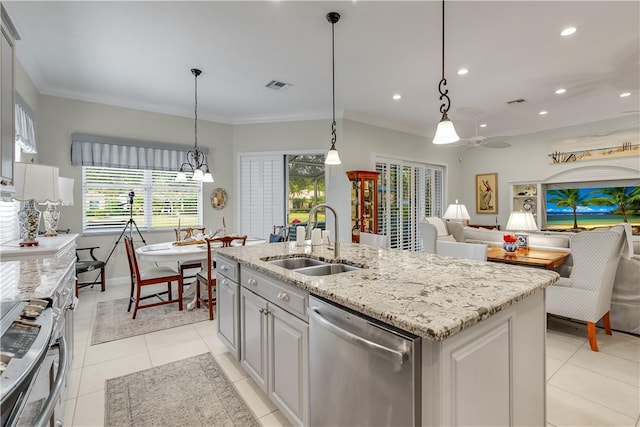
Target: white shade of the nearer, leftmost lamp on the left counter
[36,182]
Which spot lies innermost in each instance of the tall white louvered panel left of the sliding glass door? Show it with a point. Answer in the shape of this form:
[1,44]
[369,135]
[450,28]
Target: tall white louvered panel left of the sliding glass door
[262,191]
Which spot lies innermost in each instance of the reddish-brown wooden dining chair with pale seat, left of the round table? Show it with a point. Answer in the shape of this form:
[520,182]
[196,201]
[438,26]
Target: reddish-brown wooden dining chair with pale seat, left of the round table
[148,277]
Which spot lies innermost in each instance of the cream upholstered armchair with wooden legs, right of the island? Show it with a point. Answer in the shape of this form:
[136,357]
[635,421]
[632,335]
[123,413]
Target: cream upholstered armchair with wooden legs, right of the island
[586,294]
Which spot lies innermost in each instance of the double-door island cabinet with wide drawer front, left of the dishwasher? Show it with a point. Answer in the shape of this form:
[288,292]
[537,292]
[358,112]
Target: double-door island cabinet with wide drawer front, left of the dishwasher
[275,342]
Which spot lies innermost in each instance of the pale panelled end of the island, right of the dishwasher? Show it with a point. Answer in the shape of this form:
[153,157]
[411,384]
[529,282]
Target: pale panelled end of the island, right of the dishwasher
[490,374]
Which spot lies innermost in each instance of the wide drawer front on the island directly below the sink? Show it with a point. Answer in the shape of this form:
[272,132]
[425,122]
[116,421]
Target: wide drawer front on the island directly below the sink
[286,296]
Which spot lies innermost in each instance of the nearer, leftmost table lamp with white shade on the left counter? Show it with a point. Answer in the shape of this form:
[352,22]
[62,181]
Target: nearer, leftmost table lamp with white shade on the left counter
[33,183]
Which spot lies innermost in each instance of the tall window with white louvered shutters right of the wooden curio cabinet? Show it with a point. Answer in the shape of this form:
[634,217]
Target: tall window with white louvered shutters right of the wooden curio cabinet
[408,192]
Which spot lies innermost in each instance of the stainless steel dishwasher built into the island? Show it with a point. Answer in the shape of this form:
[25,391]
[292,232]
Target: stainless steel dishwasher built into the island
[362,372]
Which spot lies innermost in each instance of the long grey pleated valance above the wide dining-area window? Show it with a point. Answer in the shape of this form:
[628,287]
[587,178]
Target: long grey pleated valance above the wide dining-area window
[94,150]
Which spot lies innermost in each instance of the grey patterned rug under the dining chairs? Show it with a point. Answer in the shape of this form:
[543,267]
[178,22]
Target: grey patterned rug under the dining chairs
[113,322]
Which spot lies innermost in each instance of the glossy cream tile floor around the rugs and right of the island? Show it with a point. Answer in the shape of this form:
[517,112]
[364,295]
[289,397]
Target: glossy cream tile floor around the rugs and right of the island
[583,388]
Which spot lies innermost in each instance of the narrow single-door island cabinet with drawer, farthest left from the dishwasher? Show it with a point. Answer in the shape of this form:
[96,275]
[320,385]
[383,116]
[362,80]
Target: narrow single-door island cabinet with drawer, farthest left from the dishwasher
[228,305]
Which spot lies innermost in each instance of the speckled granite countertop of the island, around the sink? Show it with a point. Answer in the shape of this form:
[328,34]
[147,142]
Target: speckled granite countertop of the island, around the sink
[428,295]
